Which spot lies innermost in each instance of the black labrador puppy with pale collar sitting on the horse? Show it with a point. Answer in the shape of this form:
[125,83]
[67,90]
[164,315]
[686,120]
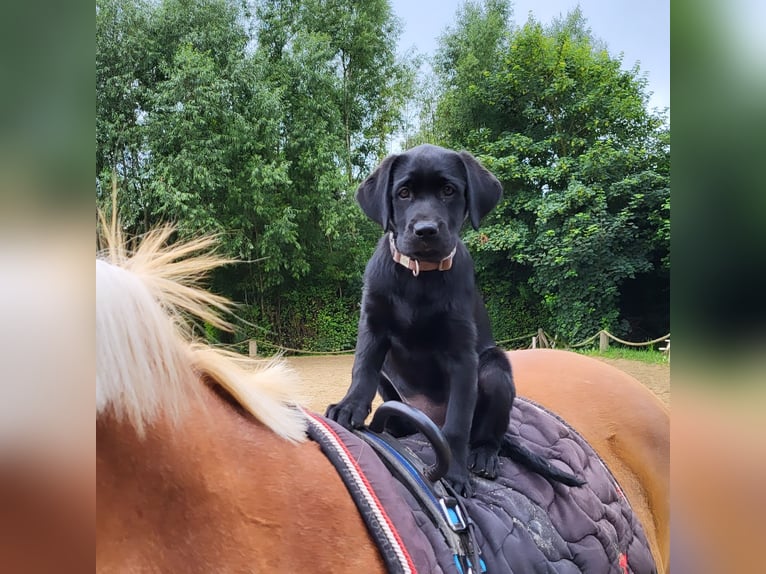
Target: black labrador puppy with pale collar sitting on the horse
[424,333]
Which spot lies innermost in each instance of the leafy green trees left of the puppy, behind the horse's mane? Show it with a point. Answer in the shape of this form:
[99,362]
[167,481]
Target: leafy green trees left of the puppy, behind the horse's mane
[255,125]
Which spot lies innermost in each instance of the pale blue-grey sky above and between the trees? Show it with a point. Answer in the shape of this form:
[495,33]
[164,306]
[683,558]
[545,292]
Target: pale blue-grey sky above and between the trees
[639,29]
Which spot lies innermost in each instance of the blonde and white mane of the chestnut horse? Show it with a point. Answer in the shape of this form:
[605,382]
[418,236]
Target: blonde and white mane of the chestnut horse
[147,362]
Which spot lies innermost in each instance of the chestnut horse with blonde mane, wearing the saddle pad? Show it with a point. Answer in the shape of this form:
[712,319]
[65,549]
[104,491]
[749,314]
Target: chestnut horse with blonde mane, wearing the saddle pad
[202,462]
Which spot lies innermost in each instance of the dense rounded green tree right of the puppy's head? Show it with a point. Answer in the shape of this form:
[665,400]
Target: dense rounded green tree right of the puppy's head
[584,166]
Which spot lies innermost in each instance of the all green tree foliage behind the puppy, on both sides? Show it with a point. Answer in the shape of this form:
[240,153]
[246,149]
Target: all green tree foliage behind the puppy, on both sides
[258,120]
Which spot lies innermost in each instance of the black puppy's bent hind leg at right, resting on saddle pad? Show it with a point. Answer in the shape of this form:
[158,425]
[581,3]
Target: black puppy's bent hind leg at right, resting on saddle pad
[492,413]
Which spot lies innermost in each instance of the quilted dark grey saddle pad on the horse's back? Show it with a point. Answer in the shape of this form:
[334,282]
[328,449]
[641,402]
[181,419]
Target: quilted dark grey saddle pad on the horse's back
[523,523]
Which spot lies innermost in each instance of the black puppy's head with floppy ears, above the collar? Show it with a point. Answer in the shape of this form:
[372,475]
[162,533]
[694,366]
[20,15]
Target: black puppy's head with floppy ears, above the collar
[425,194]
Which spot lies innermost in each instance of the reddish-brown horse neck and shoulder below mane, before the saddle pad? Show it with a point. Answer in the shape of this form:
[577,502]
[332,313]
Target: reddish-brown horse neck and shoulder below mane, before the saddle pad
[223,489]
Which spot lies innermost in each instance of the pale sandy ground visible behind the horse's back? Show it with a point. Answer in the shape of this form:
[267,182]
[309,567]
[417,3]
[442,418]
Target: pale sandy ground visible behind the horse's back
[326,378]
